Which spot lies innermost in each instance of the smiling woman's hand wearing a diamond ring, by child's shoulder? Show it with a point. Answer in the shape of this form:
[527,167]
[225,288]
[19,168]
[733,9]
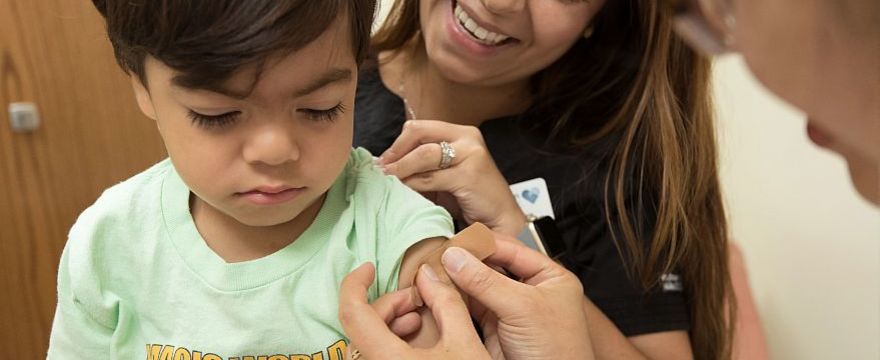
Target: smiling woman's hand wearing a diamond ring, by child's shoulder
[471,187]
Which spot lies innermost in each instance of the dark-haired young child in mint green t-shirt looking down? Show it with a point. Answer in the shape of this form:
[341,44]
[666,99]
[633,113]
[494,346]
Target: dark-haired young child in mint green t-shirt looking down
[235,246]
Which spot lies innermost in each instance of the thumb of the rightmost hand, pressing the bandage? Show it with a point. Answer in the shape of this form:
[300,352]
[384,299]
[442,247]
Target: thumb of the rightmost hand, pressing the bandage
[498,293]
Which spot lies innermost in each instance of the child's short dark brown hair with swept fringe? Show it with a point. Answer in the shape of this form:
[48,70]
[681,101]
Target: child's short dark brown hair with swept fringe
[206,41]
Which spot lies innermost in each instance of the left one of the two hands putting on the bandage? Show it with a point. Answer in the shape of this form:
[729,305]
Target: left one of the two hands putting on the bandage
[368,325]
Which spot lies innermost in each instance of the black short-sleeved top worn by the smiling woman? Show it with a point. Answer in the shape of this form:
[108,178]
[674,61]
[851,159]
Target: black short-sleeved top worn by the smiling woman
[576,187]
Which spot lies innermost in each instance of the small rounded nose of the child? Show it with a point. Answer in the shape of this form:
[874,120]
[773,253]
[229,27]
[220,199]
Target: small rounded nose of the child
[272,144]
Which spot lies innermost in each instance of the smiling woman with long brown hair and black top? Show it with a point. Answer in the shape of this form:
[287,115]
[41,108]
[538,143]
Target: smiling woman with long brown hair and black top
[601,101]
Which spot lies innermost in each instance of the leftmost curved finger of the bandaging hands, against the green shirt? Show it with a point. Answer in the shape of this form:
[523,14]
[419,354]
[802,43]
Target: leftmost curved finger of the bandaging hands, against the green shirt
[363,325]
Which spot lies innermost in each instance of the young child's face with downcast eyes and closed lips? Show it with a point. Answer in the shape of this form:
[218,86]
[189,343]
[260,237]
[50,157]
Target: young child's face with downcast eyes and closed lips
[265,158]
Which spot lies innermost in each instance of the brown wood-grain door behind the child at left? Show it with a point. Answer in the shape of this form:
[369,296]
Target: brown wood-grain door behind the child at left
[55,53]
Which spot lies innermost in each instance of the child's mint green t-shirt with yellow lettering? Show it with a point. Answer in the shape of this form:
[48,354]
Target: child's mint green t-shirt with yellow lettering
[137,281]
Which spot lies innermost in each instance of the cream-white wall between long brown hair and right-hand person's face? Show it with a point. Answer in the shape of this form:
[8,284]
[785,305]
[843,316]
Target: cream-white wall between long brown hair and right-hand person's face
[811,245]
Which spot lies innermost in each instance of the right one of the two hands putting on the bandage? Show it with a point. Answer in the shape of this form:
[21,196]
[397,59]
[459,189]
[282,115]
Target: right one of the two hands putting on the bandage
[539,317]
